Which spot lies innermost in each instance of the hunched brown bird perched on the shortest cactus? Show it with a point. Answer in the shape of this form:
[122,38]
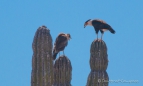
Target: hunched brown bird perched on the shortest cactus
[60,43]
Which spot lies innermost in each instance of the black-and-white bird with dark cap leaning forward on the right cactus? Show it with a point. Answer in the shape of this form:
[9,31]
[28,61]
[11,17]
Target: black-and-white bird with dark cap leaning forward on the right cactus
[99,25]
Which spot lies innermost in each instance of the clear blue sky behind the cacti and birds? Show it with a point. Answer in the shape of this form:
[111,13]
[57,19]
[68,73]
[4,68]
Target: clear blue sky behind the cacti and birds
[20,20]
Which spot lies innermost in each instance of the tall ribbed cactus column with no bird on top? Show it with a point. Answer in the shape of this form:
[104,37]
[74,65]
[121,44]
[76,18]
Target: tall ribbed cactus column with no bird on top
[42,63]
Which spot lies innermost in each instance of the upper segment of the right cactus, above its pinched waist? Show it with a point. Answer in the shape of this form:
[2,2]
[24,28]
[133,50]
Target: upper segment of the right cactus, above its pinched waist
[98,55]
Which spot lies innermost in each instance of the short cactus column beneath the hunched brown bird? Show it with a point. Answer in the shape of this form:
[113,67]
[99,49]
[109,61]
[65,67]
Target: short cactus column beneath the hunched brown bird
[62,72]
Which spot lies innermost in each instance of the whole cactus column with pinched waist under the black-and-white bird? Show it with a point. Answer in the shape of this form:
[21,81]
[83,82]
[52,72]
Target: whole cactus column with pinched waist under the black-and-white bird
[98,64]
